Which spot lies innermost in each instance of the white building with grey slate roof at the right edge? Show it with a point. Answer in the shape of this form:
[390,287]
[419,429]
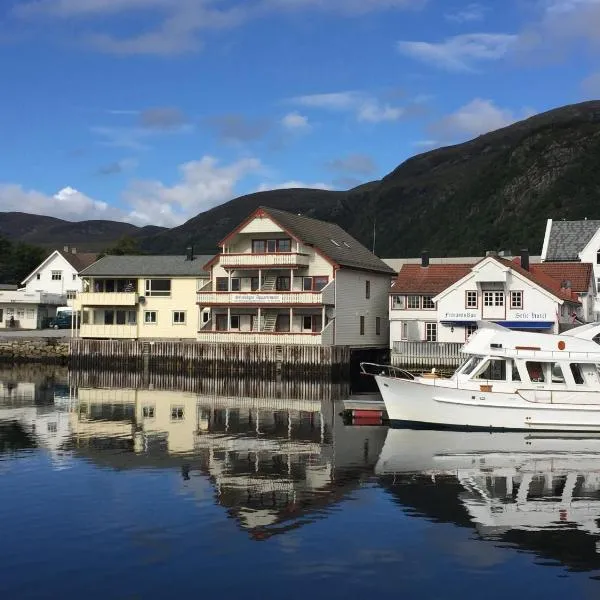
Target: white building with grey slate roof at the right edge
[574,241]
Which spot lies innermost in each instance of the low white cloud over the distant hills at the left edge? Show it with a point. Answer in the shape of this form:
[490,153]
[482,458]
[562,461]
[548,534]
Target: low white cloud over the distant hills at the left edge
[68,203]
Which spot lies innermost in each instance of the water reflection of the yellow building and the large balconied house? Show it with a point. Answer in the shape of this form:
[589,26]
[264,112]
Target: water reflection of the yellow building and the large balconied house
[270,460]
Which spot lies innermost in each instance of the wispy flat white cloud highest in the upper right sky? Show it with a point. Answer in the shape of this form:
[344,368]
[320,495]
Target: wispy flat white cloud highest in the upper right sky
[462,52]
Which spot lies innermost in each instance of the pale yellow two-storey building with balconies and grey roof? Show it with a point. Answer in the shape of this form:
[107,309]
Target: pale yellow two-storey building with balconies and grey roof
[141,297]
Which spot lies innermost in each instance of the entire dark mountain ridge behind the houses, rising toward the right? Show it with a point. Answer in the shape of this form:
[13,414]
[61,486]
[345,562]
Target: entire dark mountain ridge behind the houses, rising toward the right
[492,193]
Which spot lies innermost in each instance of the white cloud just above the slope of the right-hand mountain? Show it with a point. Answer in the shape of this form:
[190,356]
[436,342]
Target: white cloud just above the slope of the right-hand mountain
[475,118]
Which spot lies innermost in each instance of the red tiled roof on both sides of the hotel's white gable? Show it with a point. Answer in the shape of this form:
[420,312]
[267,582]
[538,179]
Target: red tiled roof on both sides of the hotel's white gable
[434,279]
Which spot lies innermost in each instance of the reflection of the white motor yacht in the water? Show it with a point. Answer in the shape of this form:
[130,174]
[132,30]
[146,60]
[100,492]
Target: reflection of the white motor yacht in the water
[539,492]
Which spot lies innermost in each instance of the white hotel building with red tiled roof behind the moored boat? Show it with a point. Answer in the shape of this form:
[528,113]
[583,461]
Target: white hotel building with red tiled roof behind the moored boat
[443,302]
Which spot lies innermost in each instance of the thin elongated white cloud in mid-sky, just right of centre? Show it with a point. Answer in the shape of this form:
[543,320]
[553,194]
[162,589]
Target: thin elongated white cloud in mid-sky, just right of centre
[366,107]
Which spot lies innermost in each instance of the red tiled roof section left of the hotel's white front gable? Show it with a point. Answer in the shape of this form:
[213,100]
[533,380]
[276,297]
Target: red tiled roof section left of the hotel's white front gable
[415,279]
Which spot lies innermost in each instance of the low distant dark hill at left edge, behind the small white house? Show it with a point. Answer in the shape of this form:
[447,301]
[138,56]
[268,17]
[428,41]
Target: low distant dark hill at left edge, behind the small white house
[50,232]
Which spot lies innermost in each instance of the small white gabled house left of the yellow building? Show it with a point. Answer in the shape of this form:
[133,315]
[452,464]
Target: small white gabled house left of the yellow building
[58,274]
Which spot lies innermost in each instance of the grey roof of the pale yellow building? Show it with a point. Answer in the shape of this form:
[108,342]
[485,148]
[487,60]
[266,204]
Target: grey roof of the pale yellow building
[147,266]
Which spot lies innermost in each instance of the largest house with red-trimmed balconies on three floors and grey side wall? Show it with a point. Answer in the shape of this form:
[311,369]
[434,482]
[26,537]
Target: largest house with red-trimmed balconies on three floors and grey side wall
[284,278]
